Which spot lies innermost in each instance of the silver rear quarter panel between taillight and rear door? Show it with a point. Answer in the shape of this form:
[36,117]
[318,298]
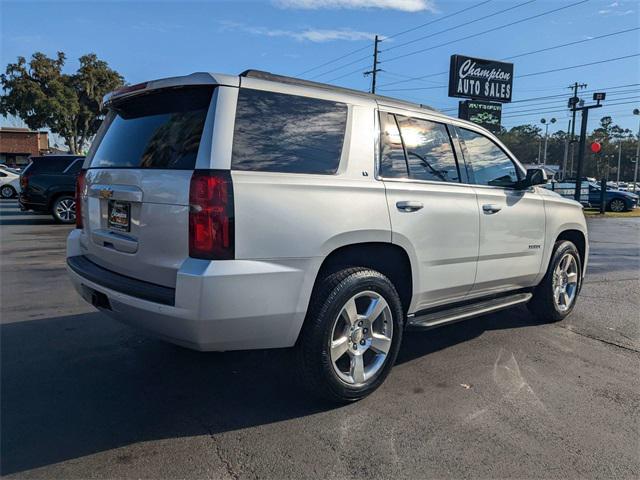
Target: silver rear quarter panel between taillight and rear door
[302,218]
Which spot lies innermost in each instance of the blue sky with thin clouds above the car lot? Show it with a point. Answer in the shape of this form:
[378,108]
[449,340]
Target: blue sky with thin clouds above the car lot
[150,39]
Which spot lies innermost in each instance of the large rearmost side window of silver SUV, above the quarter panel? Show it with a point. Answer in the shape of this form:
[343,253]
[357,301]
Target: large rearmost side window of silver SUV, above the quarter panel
[275,132]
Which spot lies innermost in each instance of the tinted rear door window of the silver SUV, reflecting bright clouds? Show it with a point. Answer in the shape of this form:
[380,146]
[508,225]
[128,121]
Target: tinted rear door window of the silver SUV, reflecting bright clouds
[429,152]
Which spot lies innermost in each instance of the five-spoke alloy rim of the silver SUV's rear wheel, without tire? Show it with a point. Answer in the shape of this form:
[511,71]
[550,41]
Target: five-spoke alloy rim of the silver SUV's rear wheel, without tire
[361,338]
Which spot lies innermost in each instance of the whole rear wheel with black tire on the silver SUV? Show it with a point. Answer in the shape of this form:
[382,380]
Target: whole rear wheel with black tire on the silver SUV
[351,335]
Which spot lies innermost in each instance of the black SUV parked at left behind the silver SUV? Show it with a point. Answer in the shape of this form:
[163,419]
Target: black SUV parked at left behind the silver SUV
[48,186]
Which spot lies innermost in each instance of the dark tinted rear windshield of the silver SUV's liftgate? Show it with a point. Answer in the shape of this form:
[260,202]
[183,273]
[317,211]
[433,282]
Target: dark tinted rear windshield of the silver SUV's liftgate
[157,130]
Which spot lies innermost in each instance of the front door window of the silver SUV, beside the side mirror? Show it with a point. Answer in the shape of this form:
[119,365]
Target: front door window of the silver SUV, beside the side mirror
[489,164]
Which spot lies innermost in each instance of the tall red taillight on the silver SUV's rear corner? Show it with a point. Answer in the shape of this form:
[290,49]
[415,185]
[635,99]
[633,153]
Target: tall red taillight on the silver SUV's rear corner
[211,228]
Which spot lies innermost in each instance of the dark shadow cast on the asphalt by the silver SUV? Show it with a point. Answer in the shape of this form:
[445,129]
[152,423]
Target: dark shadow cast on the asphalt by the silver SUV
[81,384]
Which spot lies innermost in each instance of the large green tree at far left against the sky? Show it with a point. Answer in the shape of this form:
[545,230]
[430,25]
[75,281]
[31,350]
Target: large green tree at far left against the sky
[68,104]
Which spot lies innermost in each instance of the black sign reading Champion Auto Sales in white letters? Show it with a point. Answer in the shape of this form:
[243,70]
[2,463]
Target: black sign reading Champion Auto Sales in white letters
[480,79]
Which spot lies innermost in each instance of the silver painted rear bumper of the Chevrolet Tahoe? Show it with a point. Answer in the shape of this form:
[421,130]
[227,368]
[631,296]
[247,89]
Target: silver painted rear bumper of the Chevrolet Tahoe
[225,305]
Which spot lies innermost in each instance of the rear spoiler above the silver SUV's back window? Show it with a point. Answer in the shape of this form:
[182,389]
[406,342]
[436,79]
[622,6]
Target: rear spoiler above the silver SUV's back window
[199,78]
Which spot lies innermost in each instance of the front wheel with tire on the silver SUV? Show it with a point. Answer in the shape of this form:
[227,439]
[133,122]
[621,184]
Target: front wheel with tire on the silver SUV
[555,297]
